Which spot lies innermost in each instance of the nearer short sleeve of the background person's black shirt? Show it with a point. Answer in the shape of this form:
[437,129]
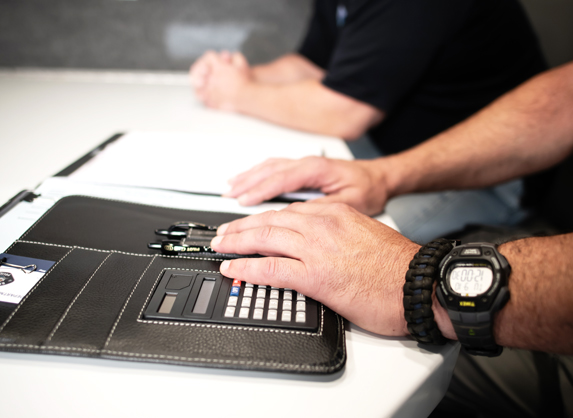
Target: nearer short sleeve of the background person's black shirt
[385,47]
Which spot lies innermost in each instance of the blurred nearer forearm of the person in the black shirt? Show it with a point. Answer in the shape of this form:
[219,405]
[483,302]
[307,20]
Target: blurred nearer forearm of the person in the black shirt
[308,106]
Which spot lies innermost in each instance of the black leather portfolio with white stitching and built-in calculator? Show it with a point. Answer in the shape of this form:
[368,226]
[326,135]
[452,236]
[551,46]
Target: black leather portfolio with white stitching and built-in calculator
[108,295]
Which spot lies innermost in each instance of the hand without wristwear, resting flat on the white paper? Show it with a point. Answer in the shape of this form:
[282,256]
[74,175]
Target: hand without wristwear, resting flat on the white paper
[360,183]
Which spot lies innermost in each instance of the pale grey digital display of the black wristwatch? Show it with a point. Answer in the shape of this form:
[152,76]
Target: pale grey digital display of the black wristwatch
[470,280]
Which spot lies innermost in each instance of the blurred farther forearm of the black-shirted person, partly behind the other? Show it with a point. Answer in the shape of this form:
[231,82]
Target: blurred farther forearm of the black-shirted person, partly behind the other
[289,68]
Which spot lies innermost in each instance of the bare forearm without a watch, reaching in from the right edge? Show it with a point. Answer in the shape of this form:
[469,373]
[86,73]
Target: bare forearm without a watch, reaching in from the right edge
[525,131]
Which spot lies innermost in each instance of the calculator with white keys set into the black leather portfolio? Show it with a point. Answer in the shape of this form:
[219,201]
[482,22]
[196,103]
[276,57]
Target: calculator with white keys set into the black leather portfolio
[201,297]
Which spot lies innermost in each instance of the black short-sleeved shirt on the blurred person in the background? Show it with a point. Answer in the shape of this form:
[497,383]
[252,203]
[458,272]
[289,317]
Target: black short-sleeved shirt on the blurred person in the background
[428,64]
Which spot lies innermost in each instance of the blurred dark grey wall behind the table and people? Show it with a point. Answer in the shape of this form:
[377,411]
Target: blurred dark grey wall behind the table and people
[170,34]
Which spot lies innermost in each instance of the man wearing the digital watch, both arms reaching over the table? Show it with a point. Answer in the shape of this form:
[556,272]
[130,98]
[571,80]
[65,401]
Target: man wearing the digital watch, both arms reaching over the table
[356,265]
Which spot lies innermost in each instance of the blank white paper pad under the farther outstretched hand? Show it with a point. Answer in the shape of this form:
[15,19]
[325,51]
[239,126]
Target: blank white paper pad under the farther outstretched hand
[191,162]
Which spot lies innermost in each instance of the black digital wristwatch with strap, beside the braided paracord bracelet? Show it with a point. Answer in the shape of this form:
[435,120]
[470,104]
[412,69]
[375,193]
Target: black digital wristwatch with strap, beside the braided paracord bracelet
[473,286]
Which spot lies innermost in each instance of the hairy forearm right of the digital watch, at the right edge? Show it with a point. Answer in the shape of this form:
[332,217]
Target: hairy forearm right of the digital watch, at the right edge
[539,314]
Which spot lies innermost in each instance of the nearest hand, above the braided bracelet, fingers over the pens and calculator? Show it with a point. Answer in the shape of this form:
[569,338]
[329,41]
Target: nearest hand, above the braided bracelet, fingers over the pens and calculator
[351,263]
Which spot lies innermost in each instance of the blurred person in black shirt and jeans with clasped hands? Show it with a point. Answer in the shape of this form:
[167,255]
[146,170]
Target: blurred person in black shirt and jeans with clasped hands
[400,71]
